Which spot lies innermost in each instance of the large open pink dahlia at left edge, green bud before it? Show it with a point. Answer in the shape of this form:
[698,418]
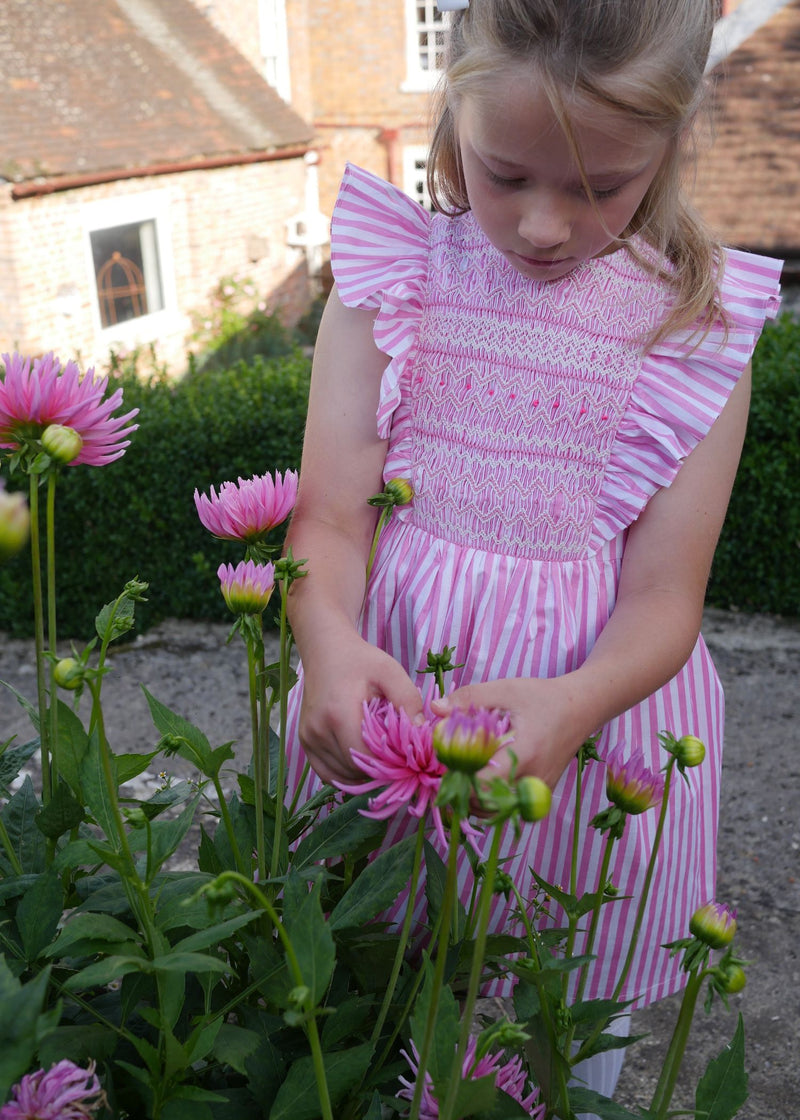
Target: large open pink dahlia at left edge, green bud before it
[35,397]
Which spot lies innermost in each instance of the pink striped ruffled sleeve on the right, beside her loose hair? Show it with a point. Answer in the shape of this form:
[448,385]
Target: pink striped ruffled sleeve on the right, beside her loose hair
[682,390]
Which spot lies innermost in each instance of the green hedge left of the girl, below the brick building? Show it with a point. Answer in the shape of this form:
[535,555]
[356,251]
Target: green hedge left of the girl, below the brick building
[137,516]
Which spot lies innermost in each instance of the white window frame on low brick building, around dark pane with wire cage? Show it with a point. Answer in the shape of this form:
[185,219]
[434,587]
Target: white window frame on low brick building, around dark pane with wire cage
[135,210]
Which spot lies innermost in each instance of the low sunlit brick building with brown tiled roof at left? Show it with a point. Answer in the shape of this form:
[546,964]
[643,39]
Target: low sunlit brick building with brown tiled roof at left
[143,160]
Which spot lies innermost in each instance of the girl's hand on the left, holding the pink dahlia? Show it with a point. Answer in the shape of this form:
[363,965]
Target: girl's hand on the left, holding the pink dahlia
[340,676]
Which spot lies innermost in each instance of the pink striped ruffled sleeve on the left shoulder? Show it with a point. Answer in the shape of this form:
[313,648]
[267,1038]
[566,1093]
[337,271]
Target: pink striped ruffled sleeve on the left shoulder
[379,255]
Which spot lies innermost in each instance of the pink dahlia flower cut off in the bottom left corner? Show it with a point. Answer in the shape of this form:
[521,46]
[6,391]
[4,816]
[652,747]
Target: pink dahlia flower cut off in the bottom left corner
[66,1093]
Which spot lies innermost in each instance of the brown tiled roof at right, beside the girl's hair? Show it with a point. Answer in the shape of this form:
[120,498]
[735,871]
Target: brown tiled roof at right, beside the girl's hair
[749,184]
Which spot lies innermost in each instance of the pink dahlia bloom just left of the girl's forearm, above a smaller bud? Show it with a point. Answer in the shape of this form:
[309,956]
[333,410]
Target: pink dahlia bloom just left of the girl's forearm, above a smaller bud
[247,510]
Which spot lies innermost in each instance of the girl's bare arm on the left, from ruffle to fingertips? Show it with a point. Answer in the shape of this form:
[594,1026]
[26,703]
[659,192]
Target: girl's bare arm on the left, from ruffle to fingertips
[332,528]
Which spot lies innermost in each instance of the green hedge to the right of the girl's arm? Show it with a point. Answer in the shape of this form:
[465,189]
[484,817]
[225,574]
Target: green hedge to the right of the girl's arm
[758,562]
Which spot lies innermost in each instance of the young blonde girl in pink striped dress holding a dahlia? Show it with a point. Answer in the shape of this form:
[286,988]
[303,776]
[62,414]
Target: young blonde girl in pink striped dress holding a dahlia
[559,362]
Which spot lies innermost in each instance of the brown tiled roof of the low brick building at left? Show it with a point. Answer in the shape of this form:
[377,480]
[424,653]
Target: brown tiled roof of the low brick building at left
[99,86]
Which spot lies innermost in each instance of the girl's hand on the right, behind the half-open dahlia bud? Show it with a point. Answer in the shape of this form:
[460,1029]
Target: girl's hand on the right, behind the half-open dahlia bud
[544,723]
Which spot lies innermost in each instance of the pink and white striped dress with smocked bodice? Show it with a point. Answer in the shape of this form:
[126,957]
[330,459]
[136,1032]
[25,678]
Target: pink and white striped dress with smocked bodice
[535,433]
